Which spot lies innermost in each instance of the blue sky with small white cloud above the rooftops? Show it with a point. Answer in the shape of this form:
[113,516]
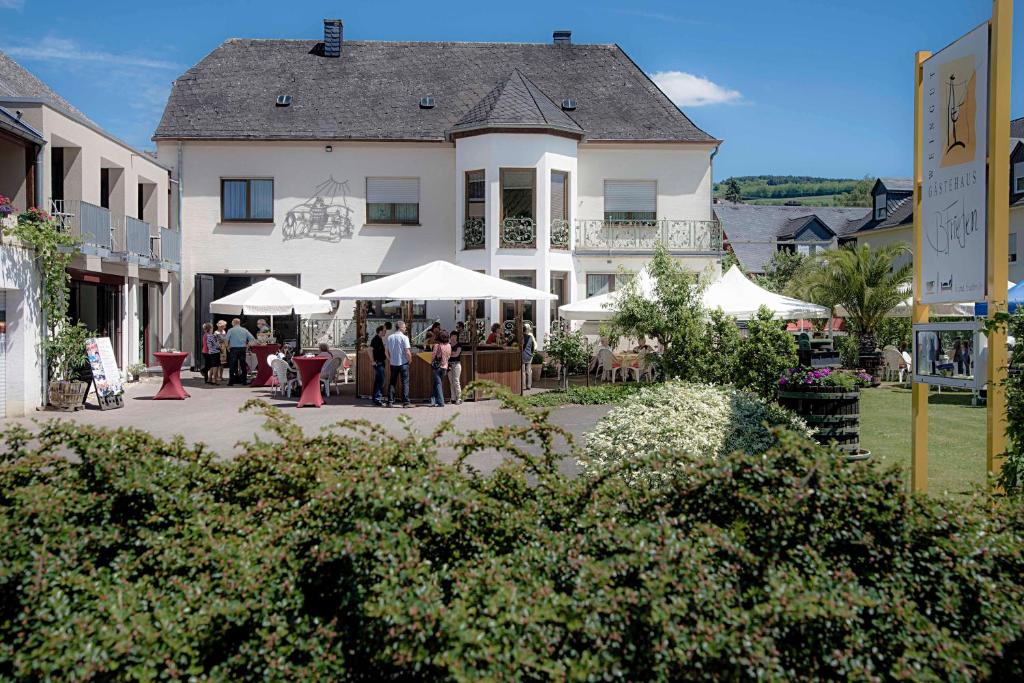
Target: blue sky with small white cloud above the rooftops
[816,88]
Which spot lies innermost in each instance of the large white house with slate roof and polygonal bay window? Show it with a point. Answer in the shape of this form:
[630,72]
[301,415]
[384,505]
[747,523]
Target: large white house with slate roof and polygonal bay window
[329,162]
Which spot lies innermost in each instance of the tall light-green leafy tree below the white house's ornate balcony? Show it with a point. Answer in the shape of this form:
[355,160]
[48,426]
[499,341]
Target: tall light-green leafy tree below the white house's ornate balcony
[674,316]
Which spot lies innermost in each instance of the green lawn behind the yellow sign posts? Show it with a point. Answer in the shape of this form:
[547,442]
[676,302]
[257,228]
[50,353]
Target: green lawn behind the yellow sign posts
[956,437]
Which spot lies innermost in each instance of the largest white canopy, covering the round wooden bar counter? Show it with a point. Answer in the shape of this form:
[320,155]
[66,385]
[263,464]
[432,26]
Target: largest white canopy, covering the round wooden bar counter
[440,281]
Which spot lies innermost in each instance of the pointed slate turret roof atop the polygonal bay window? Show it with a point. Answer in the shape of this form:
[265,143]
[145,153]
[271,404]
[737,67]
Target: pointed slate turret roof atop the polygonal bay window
[517,103]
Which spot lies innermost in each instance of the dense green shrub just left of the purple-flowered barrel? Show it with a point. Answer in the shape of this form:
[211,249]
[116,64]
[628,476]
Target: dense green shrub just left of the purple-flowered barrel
[764,355]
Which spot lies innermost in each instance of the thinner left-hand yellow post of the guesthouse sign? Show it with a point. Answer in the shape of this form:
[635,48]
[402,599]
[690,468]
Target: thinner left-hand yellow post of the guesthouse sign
[919,392]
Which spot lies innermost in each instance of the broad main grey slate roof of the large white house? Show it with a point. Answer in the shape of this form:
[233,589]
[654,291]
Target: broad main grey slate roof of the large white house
[372,92]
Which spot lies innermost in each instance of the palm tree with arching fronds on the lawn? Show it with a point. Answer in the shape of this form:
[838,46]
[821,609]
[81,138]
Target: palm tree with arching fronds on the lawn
[866,282]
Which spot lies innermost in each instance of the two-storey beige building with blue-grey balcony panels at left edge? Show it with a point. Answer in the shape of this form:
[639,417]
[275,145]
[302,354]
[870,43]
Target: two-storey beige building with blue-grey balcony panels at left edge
[119,201]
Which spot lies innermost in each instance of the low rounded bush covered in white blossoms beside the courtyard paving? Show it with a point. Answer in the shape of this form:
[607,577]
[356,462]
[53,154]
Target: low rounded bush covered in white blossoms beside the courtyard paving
[666,426]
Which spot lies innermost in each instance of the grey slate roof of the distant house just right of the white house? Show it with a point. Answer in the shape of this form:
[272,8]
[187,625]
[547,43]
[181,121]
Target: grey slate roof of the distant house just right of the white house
[753,232]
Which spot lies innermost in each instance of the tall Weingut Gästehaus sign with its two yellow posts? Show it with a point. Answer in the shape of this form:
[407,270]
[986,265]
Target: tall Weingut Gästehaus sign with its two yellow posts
[961,219]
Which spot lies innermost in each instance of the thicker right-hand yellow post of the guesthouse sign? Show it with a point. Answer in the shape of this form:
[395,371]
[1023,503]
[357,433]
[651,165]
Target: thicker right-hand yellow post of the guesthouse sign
[999,223]
